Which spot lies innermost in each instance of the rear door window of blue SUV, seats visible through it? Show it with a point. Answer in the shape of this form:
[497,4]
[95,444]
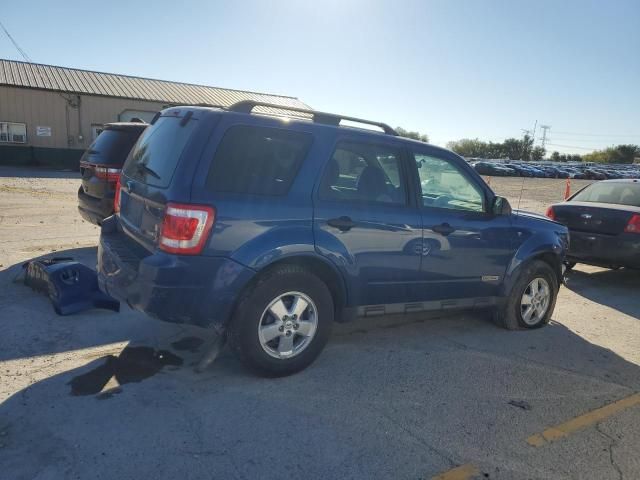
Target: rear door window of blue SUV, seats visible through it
[359,172]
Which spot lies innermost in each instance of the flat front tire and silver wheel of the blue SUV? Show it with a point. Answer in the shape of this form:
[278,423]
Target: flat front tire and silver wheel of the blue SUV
[513,315]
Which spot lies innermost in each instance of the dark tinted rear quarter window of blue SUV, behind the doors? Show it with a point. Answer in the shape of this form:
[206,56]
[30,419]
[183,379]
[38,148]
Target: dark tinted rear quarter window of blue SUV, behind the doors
[257,160]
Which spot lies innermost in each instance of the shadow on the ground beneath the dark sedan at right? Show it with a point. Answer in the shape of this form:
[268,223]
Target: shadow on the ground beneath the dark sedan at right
[617,289]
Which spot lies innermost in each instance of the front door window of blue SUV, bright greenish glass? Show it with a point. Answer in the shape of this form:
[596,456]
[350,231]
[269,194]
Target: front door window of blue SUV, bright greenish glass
[444,185]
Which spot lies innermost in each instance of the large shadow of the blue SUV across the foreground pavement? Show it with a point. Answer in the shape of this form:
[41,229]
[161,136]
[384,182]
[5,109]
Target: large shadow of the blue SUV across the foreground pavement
[418,374]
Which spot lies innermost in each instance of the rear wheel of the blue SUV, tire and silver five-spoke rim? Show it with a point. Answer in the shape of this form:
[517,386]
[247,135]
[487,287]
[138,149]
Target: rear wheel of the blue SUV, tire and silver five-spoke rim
[254,322]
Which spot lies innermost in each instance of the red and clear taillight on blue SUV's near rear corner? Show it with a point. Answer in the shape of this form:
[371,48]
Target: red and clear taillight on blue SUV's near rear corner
[185,228]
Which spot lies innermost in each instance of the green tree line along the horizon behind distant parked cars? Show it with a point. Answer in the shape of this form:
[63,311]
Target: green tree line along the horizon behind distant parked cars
[523,149]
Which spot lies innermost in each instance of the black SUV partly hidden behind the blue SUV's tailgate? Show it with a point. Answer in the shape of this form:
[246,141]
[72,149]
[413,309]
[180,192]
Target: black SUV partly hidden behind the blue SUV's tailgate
[100,167]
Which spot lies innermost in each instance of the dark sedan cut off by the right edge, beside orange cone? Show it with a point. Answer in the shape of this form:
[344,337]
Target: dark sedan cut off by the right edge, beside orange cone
[604,224]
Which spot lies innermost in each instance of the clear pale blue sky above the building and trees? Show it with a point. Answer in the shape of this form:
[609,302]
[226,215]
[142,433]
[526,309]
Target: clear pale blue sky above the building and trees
[449,68]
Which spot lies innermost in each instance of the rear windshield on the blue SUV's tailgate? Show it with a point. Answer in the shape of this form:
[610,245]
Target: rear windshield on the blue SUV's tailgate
[155,157]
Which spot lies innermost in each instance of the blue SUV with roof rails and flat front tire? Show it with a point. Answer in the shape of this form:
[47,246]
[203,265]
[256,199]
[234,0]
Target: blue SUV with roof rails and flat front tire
[267,224]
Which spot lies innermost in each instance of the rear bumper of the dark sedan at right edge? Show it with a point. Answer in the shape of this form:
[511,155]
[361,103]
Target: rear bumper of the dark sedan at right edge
[605,250]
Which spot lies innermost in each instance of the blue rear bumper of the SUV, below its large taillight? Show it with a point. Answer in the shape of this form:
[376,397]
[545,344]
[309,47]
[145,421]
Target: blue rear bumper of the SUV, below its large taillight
[180,289]
